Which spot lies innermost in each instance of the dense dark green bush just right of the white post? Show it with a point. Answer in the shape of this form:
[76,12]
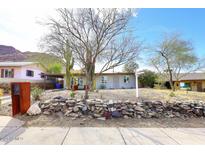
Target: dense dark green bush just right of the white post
[147,78]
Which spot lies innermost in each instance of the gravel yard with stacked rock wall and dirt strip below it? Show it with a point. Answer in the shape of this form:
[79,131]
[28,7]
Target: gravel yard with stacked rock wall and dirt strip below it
[108,108]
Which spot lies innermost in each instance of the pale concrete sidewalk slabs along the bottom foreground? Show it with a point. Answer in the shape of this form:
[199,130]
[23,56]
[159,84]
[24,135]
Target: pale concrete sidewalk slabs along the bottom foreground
[13,132]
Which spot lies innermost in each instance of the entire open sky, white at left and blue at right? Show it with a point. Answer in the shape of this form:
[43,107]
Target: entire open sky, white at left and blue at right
[19,29]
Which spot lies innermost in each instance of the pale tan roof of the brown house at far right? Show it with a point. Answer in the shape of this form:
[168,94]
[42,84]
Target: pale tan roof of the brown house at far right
[192,76]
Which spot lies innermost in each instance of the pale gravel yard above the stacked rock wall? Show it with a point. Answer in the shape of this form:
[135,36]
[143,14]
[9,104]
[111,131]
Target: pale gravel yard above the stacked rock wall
[130,94]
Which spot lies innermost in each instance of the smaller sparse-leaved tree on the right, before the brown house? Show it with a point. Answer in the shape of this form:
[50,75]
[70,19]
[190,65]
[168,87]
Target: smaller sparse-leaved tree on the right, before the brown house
[174,58]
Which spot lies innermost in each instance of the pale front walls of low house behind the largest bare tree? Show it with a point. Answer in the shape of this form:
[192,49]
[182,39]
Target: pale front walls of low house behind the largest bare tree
[106,80]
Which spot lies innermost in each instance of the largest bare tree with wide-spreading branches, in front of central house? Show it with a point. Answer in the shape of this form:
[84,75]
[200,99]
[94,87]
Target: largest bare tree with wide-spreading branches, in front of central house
[98,35]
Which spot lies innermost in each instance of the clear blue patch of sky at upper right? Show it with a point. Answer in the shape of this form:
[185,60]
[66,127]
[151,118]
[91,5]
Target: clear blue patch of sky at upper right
[190,23]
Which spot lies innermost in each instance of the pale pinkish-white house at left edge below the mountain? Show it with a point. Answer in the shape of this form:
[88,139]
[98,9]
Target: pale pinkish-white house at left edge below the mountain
[20,71]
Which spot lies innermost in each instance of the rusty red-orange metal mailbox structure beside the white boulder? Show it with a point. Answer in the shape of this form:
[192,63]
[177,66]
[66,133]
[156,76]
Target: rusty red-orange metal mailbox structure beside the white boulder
[20,94]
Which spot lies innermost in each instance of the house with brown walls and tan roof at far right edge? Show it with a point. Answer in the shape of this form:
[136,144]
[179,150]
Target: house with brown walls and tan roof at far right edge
[192,81]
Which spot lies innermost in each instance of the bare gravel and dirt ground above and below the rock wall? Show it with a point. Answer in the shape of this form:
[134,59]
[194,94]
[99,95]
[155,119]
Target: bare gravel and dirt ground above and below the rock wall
[146,94]
